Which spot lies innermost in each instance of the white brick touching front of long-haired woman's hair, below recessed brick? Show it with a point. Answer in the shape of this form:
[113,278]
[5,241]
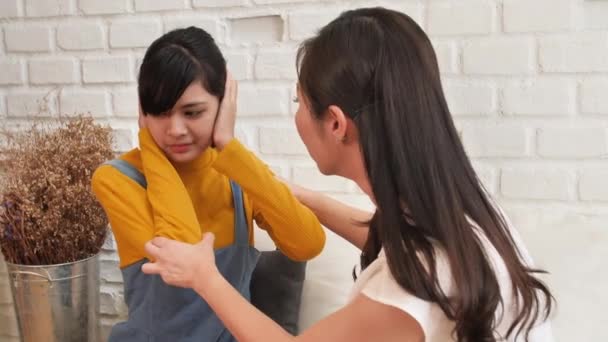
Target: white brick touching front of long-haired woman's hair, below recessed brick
[275,65]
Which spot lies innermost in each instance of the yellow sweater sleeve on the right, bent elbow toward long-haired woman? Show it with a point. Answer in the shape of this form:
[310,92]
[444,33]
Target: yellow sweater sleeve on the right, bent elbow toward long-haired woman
[293,227]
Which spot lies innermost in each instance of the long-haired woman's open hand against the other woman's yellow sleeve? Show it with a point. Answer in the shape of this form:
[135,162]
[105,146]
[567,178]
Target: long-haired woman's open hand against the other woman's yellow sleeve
[181,264]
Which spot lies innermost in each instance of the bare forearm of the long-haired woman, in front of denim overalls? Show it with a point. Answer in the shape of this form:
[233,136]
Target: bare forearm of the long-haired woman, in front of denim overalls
[243,320]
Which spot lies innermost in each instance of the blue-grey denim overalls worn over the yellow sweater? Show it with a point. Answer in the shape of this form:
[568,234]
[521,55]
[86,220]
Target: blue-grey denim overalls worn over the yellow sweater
[162,313]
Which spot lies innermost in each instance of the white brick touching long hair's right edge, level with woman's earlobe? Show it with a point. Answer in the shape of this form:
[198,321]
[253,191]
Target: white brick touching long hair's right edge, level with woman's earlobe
[496,141]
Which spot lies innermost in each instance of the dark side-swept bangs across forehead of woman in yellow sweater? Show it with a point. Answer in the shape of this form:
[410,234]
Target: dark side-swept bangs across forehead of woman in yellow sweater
[164,76]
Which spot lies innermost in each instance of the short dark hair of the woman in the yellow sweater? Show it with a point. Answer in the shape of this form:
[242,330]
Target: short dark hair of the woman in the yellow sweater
[173,62]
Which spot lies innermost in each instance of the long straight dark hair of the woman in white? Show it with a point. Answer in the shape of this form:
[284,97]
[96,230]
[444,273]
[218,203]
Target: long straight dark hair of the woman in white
[379,67]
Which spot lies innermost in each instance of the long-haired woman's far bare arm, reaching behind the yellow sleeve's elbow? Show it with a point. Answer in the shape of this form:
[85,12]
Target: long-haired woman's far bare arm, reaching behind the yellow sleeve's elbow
[348,222]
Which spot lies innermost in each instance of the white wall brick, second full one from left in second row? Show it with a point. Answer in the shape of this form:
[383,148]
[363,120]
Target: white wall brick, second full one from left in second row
[81,36]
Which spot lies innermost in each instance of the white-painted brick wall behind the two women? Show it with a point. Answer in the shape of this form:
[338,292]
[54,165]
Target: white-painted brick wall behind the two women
[525,79]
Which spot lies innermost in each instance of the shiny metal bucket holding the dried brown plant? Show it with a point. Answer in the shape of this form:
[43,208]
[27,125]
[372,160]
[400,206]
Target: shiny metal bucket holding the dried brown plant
[57,303]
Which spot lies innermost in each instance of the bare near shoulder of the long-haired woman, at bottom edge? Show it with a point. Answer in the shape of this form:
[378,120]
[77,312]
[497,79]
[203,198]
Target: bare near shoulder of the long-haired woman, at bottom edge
[364,319]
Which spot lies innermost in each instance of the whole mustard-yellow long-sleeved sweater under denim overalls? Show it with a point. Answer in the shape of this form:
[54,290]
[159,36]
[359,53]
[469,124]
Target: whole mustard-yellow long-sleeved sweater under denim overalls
[182,202]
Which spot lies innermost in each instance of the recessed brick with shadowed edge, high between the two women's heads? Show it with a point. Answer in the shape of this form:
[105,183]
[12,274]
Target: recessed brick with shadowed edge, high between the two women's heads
[258,30]
